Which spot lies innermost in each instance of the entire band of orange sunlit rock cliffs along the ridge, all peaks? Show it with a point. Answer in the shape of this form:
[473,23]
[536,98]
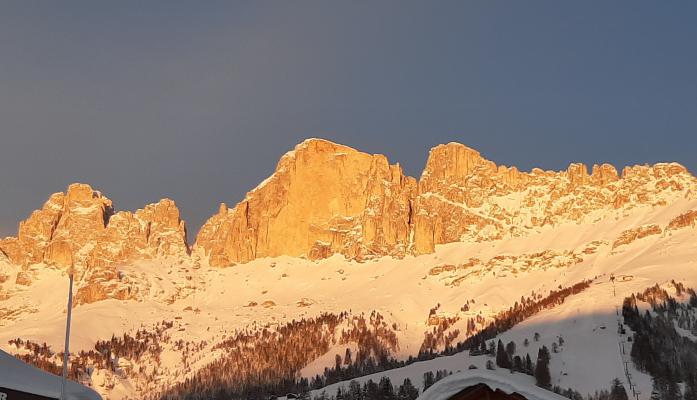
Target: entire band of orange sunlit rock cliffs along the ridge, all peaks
[325,198]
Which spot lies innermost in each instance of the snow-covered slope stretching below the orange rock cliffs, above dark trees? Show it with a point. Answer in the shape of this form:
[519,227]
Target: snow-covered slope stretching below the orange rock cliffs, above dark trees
[203,306]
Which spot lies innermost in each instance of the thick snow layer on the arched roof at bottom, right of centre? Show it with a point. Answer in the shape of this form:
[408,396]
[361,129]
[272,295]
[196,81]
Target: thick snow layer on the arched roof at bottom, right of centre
[454,384]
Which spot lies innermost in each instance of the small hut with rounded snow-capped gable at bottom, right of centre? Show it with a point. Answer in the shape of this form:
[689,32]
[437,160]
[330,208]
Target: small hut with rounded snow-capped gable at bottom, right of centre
[486,385]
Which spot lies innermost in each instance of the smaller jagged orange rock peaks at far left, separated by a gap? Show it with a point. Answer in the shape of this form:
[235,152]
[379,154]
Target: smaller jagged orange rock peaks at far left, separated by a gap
[79,229]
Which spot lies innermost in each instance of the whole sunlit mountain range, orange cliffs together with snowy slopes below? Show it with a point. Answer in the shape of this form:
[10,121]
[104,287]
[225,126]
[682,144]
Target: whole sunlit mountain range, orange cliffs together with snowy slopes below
[339,231]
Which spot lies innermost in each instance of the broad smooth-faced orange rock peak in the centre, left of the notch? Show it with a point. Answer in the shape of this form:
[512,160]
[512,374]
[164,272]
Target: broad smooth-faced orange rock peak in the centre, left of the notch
[322,199]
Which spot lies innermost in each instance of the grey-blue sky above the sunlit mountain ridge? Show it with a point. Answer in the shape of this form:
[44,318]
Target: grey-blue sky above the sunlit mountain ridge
[196,101]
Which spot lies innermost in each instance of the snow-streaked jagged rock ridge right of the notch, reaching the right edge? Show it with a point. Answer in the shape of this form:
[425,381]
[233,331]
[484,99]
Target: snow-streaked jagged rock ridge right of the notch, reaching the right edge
[464,197]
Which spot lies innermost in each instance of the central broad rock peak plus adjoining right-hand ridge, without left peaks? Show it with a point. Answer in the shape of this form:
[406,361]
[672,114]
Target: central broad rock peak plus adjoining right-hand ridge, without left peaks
[326,199]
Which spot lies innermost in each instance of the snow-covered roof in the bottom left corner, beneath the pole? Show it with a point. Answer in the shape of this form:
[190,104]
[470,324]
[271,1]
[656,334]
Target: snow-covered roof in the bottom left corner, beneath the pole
[19,376]
